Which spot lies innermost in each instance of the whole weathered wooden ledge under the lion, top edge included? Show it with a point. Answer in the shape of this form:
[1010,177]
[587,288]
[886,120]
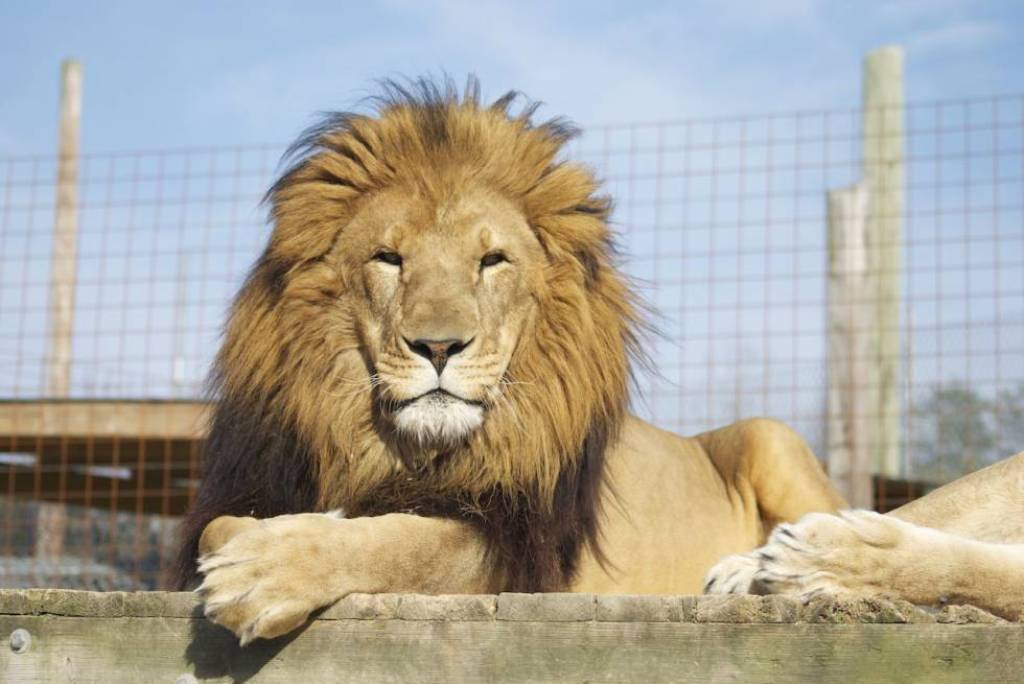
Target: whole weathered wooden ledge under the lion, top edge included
[57,635]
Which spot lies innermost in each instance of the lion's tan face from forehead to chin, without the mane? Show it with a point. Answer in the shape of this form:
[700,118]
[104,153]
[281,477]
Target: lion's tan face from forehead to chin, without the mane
[443,293]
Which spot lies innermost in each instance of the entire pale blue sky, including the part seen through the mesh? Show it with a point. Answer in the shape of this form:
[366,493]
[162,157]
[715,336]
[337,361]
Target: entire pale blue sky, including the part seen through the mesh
[729,240]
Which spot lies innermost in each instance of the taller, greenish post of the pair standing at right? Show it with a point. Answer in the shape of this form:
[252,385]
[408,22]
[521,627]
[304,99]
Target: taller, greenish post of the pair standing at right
[884,173]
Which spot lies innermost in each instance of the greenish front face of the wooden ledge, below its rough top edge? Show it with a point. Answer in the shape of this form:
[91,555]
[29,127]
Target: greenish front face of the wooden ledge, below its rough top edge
[161,650]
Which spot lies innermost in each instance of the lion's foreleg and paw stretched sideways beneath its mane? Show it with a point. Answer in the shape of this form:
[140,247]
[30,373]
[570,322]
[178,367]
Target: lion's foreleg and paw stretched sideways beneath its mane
[264,578]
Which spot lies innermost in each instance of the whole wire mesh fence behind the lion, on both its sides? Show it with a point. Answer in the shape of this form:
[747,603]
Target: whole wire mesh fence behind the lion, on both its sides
[723,224]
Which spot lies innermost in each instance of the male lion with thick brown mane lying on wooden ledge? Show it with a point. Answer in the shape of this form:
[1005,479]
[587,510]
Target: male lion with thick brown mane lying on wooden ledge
[437,343]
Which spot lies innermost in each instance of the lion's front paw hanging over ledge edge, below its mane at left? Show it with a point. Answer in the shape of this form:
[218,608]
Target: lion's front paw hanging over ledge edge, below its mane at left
[268,580]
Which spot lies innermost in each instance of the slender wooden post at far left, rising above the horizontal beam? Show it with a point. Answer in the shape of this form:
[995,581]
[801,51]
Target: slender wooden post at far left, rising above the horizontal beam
[65,258]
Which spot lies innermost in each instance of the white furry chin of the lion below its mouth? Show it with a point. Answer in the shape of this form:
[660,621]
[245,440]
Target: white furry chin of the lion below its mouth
[439,420]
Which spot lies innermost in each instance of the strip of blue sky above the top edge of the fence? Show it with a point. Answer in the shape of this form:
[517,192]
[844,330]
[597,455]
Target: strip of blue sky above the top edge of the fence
[197,73]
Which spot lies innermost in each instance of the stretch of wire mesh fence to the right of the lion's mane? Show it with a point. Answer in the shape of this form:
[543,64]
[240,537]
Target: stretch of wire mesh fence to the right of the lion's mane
[726,222]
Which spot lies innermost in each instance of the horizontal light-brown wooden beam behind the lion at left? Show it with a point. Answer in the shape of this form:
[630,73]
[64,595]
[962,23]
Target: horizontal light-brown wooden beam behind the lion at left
[148,420]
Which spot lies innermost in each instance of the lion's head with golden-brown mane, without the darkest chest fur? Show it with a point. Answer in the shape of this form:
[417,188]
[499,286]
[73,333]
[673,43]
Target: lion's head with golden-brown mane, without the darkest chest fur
[438,309]
